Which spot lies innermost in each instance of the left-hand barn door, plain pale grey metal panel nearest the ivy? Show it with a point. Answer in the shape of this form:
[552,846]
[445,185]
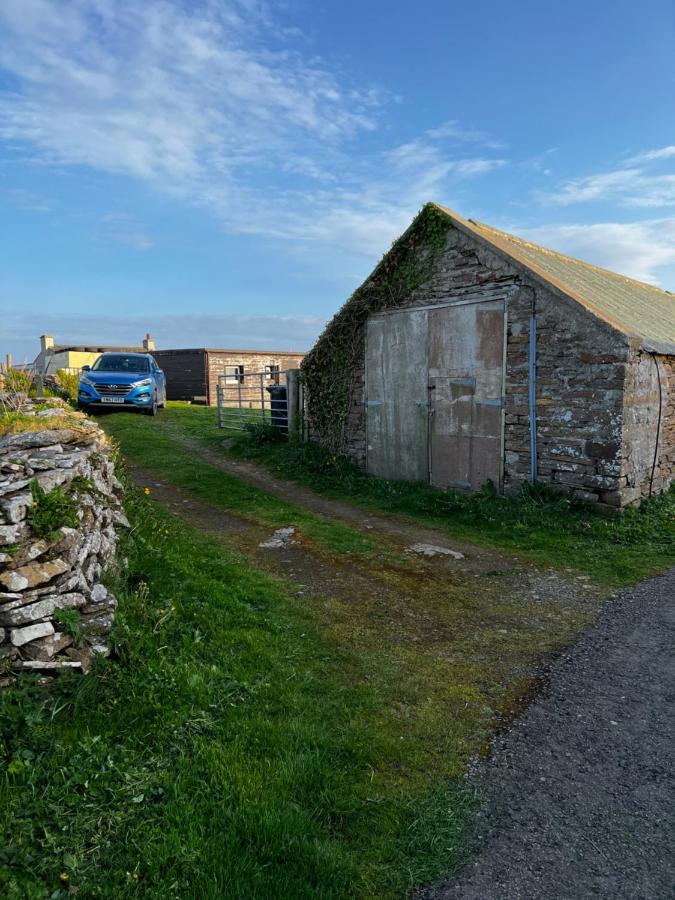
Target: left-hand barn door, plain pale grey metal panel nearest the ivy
[396,396]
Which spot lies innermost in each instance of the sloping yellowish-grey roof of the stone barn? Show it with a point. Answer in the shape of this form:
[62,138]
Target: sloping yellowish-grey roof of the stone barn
[636,309]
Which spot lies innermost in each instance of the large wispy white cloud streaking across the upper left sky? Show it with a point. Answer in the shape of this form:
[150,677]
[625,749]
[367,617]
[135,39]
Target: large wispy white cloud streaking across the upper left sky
[219,104]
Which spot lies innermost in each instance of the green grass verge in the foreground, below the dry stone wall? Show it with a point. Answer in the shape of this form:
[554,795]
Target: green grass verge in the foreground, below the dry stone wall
[230,750]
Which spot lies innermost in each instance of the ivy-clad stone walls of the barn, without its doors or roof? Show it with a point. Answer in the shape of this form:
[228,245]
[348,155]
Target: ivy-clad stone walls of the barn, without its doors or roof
[596,387]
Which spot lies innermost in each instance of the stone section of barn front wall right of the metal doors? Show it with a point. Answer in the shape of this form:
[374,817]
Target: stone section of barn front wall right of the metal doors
[580,375]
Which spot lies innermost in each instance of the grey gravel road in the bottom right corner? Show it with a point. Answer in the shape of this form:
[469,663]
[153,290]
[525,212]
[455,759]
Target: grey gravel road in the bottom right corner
[578,799]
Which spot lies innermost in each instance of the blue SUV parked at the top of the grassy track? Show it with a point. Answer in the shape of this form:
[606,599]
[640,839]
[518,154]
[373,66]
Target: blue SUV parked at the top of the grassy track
[123,380]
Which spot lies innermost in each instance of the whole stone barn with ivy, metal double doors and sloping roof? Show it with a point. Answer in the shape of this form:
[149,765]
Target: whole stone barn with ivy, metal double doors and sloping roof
[470,355]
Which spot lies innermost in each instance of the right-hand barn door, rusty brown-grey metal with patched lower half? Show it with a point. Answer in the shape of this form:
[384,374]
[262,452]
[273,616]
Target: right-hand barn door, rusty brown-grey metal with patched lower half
[466,380]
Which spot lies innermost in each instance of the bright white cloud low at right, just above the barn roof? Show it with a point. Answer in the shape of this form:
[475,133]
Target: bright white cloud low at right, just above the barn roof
[636,249]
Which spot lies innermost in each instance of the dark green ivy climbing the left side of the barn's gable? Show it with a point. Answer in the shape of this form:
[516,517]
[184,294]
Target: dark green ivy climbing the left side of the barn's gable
[330,367]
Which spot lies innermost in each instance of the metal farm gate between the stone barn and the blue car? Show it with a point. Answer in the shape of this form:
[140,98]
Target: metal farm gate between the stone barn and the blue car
[249,398]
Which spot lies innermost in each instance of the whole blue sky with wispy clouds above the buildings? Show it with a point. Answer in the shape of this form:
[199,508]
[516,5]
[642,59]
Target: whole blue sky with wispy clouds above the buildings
[227,172]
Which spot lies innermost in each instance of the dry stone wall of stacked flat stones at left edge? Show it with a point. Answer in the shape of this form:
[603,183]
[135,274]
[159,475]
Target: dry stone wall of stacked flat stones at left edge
[55,611]
